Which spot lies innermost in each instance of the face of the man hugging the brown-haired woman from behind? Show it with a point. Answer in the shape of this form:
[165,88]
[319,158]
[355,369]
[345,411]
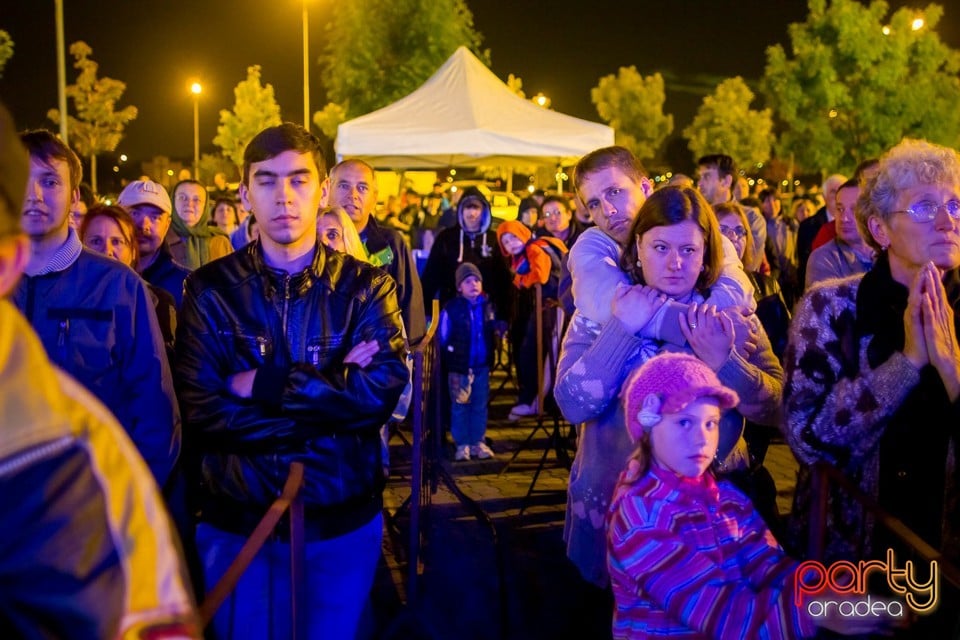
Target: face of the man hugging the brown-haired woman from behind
[613,200]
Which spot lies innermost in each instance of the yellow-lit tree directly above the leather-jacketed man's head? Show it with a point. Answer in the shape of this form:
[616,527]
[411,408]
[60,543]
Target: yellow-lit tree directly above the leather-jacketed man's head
[254,110]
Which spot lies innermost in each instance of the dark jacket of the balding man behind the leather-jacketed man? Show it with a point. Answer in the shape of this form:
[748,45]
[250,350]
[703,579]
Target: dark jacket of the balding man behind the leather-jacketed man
[388,250]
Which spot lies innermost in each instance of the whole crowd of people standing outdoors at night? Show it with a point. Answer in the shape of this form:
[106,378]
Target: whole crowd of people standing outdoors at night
[219,337]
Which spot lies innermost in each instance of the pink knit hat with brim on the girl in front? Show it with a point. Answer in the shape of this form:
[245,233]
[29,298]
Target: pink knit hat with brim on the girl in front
[667,383]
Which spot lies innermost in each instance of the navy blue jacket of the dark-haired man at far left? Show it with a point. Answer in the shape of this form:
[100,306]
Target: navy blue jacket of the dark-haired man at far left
[97,321]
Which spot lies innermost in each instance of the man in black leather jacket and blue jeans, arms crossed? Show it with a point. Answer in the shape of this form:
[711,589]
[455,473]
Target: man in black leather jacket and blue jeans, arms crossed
[262,348]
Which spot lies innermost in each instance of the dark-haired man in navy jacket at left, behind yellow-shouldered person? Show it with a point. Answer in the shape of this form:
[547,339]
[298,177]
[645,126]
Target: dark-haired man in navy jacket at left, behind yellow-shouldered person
[93,314]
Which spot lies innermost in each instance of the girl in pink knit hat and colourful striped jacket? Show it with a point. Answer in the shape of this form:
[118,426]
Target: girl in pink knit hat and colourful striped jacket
[690,556]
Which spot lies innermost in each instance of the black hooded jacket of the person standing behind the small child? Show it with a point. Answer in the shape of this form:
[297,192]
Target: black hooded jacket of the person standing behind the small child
[455,245]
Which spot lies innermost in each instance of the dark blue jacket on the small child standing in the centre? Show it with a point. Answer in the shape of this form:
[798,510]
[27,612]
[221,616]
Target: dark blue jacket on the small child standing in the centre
[466,334]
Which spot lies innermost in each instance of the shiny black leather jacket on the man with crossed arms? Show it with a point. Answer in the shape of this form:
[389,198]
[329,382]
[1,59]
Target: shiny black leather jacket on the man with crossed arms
[295,330]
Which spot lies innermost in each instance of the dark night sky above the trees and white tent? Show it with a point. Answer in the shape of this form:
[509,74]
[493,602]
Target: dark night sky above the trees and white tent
[560,48]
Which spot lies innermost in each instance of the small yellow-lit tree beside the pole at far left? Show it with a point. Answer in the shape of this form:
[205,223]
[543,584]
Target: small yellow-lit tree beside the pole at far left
[97,128]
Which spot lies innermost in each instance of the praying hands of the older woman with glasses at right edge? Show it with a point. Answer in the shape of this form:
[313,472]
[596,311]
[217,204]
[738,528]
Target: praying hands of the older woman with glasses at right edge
[939,331]
